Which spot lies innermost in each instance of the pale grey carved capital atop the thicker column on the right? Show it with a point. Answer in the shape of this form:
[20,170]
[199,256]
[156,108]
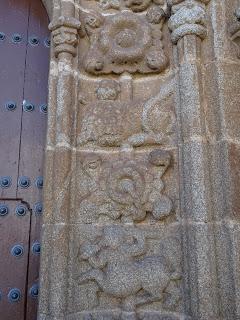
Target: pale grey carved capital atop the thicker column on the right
[188,18]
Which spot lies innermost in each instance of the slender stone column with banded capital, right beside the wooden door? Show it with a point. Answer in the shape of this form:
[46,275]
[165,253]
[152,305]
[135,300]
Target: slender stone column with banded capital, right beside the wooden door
[58,162]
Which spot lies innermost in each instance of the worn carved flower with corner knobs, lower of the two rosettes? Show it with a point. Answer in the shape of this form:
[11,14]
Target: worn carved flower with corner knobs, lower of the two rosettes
[124,189]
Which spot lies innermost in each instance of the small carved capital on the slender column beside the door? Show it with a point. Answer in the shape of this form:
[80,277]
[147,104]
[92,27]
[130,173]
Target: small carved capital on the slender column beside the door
[65,34]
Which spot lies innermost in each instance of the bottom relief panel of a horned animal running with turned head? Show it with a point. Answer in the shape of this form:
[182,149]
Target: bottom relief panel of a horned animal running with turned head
[122,271]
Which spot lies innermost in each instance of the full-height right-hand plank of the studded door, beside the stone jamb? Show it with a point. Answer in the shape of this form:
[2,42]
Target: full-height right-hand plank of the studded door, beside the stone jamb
[33,136]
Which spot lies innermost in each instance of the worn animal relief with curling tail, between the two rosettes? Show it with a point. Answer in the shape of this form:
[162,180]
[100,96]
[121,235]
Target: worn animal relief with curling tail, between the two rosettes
[109,122]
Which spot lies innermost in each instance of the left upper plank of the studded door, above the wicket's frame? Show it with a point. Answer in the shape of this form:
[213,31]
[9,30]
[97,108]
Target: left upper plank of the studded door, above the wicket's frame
[13,28]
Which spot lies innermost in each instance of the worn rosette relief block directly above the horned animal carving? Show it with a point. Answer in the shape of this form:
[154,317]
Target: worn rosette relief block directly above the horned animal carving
[127,187]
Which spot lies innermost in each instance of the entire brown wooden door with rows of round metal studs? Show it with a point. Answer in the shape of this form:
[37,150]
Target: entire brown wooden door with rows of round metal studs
[24,59]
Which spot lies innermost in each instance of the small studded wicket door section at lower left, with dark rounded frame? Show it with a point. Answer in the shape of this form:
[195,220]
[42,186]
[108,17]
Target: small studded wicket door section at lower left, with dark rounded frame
[14,251]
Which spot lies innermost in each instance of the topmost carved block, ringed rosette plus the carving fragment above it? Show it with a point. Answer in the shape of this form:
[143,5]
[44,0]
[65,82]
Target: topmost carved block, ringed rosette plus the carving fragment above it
[123,37]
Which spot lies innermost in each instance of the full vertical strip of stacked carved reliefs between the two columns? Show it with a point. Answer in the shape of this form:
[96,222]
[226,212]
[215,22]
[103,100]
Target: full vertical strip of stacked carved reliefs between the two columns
[125,248]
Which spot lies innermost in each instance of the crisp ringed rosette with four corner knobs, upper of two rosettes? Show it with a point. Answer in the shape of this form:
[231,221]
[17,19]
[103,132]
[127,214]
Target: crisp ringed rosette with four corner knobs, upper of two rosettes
[124,42]
